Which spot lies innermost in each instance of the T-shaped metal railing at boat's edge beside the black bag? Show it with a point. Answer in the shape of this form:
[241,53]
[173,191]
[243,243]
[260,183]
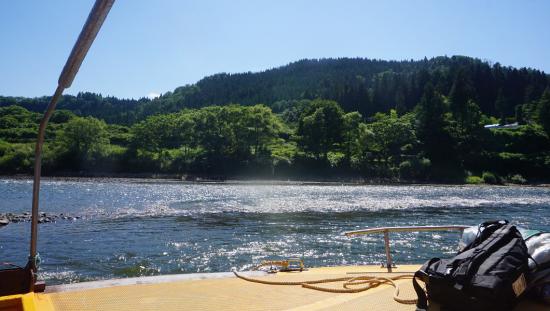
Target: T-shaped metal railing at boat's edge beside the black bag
[386,231]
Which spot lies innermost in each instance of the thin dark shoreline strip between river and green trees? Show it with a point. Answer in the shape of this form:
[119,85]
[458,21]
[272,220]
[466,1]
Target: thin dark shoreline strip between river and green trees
[164,178]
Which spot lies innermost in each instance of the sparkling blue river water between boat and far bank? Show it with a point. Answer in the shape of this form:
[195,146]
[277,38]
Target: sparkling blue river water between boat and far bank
[144,227]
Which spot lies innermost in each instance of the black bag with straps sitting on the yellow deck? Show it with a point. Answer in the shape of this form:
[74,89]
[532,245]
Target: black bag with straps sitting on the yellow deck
[489,274]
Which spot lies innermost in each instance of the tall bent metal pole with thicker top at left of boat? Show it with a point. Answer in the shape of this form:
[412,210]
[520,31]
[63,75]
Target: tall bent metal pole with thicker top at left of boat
[85,39]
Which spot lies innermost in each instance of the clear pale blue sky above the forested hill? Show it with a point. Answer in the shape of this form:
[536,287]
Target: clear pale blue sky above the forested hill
[154,46]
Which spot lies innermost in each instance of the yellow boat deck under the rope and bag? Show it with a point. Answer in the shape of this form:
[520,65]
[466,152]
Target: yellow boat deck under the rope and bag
[225,292]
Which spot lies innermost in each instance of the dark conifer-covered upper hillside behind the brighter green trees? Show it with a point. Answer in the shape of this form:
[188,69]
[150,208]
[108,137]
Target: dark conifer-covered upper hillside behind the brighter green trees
[363,85]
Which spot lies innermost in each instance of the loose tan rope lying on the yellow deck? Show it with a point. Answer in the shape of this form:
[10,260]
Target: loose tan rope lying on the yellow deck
[350,285]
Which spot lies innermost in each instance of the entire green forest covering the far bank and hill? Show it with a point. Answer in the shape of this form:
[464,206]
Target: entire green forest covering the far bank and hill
[331,118]
